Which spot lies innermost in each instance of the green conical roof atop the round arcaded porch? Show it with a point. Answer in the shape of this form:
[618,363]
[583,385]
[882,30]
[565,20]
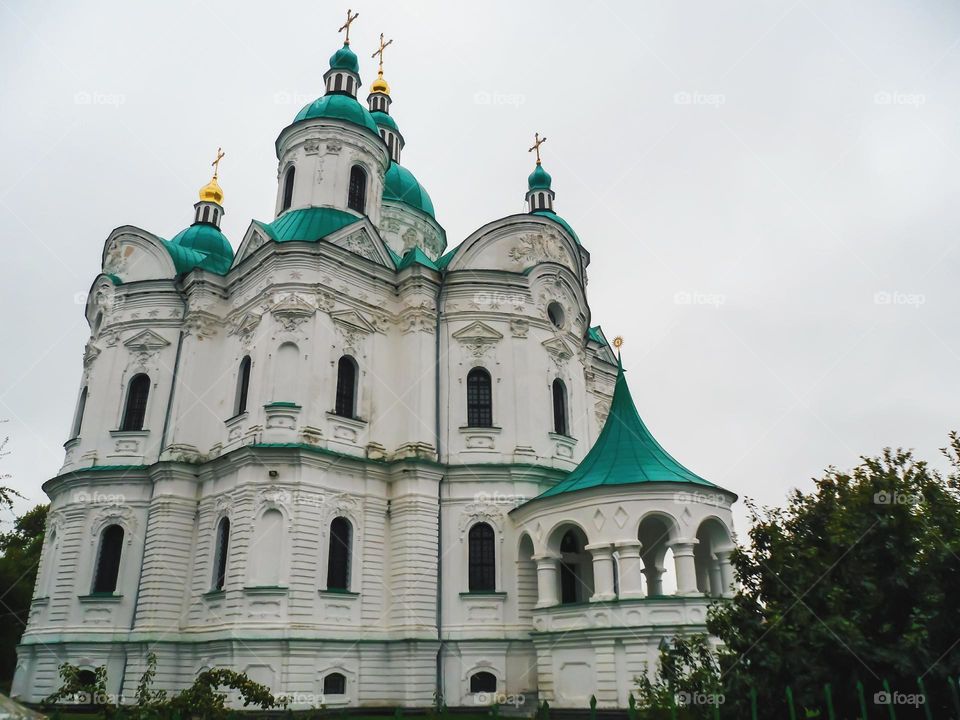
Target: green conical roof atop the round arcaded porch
[625,453]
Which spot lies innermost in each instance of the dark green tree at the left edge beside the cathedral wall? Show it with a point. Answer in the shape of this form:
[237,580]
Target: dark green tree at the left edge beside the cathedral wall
[19,559]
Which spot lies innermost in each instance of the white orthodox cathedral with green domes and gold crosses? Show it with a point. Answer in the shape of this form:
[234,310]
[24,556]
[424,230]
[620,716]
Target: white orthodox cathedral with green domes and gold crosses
[359,465]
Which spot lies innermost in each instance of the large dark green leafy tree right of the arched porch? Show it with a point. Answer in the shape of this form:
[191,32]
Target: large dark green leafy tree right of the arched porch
[853,581]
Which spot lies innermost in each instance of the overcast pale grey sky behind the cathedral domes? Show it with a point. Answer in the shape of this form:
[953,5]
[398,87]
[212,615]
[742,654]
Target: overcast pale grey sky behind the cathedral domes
[769,190]
